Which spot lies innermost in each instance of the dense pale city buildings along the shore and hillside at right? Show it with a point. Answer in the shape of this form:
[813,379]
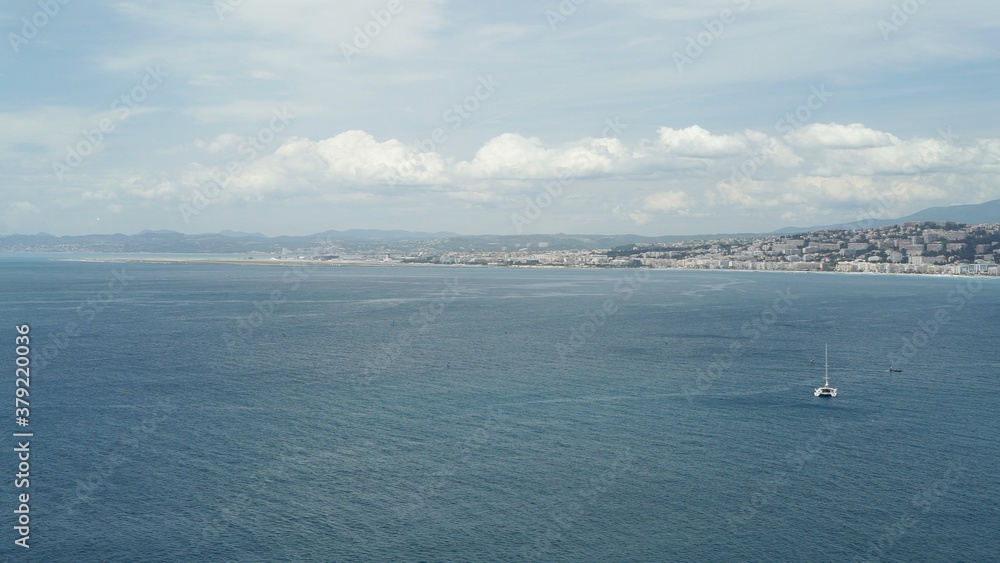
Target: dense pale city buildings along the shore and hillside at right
[916,247]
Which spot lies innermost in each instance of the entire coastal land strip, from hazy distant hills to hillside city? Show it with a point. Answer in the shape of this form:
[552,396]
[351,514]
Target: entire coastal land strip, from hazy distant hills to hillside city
[914,247]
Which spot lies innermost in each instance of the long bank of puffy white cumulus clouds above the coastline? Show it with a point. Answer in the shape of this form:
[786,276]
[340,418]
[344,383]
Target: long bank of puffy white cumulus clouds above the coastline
[819,180]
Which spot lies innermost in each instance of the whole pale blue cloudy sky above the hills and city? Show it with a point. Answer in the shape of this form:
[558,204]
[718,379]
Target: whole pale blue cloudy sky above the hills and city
[575,116]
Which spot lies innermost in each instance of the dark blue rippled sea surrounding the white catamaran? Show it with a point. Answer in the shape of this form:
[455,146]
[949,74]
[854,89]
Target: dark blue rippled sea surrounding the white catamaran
[229,412]
